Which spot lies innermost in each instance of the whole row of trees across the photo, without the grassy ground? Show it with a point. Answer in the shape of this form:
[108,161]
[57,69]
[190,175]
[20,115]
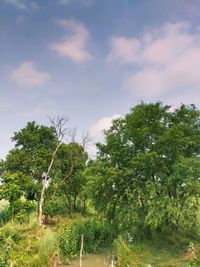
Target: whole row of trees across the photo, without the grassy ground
[145,179]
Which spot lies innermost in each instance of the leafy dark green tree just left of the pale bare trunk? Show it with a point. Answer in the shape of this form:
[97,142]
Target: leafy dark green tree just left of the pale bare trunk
[32,153]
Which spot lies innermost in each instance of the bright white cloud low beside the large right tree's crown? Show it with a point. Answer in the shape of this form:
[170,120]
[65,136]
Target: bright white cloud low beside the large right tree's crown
[96,132]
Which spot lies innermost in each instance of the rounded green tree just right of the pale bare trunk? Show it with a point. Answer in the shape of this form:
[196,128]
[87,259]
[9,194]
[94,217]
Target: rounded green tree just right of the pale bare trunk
[69,180]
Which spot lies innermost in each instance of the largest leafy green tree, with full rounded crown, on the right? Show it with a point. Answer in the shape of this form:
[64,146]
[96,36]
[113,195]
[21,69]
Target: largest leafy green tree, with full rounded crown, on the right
[147,171]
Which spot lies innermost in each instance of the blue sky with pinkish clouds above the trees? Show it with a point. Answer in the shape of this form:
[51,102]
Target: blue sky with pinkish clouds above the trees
[92,60]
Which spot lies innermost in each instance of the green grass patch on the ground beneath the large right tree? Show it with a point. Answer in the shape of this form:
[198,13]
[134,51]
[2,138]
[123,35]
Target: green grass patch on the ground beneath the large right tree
[164,252]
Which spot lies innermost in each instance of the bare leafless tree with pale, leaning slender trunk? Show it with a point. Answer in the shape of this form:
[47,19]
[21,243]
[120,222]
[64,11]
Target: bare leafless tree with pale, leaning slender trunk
[58,124]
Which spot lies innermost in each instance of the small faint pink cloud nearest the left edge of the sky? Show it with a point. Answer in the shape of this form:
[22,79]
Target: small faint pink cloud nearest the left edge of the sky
[27,75]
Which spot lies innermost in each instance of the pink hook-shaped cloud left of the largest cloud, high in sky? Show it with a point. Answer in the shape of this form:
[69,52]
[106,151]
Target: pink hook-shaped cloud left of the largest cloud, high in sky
[74,45]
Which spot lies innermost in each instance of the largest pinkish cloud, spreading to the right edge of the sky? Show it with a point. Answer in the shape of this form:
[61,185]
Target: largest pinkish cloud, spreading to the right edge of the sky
[165,60]
